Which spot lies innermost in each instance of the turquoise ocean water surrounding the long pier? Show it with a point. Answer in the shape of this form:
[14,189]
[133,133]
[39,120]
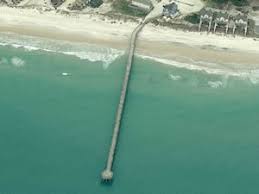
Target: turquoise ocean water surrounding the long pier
[183,132]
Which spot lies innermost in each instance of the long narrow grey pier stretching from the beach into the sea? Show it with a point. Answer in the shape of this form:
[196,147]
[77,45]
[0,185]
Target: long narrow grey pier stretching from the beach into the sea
[107,174]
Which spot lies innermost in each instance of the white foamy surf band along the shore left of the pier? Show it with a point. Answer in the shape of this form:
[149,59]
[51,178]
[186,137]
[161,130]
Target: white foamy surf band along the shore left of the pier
[82,51]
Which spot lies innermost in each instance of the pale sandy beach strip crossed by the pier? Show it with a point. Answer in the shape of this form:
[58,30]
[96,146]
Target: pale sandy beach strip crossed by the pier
[154,41]
